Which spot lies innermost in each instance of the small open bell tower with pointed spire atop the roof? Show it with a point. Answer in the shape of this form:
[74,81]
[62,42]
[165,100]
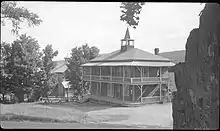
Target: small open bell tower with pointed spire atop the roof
[127,43]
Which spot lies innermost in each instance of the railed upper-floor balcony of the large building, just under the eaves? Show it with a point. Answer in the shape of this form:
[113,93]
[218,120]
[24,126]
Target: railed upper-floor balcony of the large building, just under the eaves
[129,75]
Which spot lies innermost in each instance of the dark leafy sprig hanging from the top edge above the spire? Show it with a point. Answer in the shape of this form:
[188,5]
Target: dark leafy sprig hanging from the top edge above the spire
[130,11]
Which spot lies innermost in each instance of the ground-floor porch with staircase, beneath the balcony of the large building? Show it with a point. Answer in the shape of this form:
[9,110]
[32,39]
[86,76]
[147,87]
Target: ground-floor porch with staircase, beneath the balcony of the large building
[126,94]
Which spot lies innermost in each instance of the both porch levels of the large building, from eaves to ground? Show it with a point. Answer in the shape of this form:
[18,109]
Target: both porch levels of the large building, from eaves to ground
[125,85]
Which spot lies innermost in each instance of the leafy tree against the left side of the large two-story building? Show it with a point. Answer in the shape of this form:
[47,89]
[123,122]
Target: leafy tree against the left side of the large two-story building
[79,55]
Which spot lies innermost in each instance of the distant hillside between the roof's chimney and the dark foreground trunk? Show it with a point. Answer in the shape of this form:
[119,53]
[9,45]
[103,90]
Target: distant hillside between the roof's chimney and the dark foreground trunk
[175,56]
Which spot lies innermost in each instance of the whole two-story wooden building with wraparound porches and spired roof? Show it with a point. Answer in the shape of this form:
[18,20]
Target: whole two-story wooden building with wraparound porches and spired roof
[127,75]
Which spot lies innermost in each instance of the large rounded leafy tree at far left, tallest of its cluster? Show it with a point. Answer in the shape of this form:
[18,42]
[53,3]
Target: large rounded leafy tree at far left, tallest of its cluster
[22,62]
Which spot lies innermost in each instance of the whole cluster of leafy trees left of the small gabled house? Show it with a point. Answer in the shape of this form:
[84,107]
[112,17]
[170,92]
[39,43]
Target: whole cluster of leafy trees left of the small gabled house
[26,70]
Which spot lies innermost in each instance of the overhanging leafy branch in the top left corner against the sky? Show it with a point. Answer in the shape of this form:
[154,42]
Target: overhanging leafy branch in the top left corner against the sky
[16,15]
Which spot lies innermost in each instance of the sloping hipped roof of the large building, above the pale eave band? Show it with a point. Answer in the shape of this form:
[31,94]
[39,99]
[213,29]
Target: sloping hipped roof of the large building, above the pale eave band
[133,54]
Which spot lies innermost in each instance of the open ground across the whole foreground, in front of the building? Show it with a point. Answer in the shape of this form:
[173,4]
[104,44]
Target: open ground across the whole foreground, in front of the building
[92,115]
